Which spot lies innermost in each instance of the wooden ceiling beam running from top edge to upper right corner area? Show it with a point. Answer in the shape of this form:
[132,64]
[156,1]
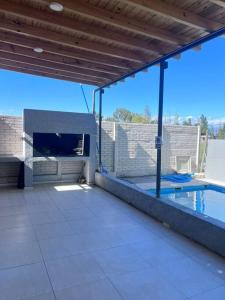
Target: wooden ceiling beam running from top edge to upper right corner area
[175,13]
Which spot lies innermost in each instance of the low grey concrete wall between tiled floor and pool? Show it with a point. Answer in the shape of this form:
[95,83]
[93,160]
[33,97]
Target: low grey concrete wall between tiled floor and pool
[204,230]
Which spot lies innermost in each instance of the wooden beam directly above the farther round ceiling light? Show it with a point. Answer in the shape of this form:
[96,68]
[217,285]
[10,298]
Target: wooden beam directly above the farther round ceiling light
[67,52]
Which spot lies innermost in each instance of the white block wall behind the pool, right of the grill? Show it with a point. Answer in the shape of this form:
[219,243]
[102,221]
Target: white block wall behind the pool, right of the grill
[128,149]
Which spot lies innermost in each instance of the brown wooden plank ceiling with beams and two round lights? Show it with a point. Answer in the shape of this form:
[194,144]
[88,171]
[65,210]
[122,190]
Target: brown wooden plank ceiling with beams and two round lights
[97,41]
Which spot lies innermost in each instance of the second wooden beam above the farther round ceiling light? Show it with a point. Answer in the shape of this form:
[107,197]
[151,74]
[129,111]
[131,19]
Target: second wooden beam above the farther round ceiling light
[22,28]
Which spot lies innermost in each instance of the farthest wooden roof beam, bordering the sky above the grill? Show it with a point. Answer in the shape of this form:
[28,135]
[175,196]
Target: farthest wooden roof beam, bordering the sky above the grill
[42,74]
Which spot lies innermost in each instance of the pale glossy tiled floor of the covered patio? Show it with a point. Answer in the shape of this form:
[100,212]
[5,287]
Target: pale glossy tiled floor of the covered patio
[79,243]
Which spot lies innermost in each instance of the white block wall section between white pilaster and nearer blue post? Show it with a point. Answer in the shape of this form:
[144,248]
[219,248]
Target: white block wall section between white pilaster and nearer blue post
[135,153]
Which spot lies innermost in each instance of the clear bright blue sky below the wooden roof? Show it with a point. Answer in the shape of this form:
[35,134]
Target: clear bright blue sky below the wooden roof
[195,84]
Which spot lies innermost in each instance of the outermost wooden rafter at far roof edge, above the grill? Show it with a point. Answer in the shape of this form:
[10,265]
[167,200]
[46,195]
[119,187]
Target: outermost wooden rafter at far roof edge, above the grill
[45,74]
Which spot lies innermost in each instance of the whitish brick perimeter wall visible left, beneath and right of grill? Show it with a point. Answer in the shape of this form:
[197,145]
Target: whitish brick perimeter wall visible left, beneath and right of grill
[127,149]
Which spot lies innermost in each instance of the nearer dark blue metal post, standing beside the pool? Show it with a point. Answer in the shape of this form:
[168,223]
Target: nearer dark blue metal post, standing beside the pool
[158,140]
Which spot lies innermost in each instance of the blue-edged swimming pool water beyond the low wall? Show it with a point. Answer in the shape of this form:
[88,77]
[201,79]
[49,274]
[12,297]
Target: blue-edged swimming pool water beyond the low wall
[207,199]
